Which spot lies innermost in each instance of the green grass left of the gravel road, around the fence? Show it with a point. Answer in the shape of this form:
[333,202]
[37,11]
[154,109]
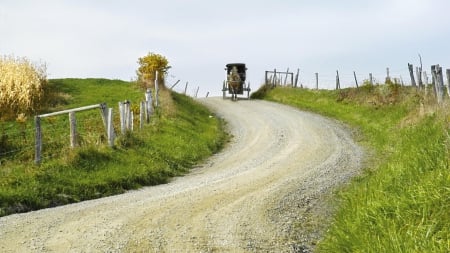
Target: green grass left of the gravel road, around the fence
[181,133]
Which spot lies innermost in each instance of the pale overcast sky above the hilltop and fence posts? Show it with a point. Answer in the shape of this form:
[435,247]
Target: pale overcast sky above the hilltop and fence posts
[104,38]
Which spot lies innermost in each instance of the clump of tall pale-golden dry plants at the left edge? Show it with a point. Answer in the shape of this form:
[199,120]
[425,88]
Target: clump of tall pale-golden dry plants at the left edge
[21,85]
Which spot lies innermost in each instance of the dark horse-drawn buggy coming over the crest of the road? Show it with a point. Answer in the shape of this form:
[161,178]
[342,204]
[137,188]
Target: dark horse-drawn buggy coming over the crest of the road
[235,82]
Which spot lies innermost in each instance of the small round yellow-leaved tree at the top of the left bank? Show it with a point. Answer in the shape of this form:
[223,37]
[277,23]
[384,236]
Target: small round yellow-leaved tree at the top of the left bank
[148,65]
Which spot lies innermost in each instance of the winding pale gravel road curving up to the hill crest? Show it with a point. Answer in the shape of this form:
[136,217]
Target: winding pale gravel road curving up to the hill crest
[244,199]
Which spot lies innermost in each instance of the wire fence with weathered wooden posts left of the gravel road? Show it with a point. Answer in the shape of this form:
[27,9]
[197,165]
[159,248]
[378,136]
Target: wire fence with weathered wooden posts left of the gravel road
[53,136]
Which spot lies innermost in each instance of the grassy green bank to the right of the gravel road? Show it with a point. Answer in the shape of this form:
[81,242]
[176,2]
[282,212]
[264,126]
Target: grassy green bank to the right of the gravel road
[401,203]
